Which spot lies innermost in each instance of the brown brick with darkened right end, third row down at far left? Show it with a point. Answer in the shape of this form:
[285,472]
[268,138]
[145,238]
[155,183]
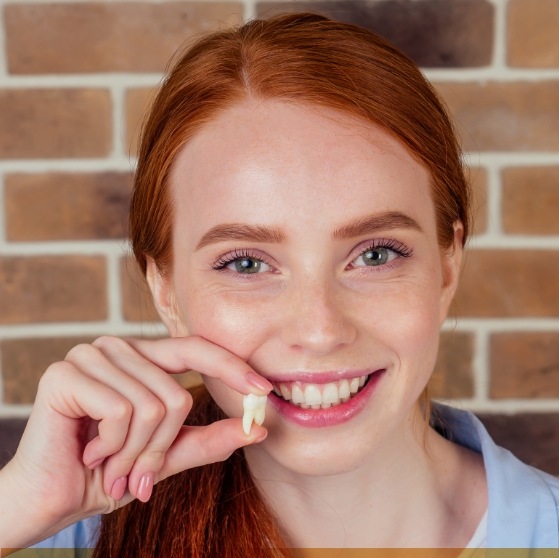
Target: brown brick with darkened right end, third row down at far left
[67,206]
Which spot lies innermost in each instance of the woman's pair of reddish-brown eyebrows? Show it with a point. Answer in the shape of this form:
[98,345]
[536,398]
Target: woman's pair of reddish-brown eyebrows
[389,220]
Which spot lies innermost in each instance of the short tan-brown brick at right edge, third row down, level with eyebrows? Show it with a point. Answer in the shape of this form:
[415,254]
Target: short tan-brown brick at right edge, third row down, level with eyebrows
[531,200]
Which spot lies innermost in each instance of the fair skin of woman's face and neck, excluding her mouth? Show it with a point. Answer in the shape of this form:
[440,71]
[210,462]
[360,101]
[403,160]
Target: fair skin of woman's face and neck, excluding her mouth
[315,307]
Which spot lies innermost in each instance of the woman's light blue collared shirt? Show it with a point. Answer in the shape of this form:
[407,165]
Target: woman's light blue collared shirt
[523,509]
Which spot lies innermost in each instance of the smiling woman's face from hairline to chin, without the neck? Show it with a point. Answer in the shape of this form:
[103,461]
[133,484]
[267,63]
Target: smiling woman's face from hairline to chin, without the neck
[305,243]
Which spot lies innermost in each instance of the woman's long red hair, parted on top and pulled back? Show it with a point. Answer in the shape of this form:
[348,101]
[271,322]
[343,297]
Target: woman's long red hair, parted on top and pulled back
[307,59]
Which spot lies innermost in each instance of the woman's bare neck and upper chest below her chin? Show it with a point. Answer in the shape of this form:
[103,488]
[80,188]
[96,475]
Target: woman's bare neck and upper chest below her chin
[402,496]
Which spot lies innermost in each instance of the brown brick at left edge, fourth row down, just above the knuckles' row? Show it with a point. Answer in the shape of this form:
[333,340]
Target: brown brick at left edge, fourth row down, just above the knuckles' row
[52,289]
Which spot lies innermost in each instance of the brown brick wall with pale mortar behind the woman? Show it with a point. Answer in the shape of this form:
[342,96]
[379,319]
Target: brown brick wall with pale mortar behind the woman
[75,77]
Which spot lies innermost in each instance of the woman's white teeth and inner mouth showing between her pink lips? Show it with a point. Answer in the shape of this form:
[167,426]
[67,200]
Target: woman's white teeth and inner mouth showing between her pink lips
[320,396]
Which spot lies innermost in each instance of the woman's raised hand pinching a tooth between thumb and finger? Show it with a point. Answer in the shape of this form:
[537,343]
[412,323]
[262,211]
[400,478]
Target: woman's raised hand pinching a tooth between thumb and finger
[107,425]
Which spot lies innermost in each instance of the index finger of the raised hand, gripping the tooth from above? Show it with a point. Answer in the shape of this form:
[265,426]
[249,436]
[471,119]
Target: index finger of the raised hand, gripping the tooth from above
[180,354]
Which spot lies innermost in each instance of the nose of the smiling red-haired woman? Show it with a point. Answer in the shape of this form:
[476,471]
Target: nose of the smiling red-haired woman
[317,318]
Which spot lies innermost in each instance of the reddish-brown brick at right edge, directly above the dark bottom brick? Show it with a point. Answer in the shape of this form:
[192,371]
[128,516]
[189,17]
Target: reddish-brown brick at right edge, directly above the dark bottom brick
[524,365]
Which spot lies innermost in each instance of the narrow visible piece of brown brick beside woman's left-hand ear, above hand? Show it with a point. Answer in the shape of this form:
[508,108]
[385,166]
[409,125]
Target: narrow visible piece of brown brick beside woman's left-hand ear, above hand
[137,303]
